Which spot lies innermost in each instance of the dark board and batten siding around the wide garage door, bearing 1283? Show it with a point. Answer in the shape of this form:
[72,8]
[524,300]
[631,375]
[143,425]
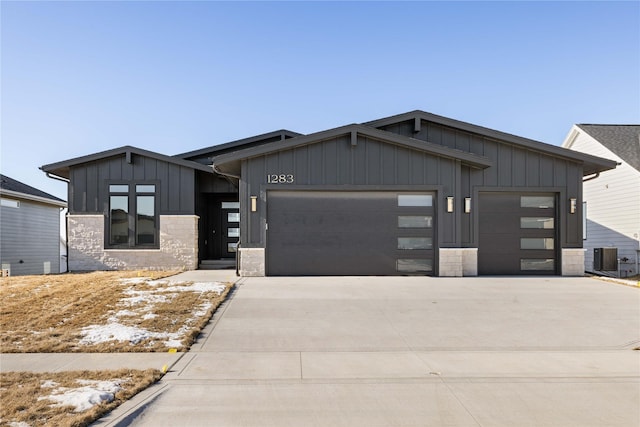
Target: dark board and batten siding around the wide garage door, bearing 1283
[337,164]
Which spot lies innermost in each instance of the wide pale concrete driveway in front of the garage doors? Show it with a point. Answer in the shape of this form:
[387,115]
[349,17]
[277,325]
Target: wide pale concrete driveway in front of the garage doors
[408,351]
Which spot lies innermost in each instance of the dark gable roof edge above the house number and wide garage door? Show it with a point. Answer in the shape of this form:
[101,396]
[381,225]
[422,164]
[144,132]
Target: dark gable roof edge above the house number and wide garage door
[231,161]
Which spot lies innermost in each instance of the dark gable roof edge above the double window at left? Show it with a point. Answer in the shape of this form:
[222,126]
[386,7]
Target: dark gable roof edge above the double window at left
[61,169]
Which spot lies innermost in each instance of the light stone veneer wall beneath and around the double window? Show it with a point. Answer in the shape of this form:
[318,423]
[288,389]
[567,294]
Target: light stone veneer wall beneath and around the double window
[178,246]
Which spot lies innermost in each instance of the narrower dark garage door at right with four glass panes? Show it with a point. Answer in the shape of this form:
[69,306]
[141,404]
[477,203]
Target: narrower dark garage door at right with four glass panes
[518,234]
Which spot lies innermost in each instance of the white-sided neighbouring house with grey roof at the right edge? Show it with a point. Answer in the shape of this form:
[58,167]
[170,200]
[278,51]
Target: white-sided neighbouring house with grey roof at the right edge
[611,201]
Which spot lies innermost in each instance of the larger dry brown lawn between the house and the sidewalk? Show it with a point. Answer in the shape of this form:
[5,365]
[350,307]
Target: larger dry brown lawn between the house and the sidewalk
[48,314]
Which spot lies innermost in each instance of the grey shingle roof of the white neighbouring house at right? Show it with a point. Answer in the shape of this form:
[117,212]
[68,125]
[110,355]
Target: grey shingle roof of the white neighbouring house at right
[622,140]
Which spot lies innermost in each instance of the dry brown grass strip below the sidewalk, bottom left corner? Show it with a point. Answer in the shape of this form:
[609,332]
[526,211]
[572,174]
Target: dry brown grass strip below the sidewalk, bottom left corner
[26,396]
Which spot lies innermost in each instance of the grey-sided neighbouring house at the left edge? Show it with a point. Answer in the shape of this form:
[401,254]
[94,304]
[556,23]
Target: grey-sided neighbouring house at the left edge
[29,229]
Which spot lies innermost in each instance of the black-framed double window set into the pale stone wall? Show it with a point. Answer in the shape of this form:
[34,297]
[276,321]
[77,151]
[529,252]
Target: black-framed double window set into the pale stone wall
[133,219]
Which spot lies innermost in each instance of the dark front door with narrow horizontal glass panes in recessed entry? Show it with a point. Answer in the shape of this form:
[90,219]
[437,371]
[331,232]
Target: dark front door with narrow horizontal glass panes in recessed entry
[223,227]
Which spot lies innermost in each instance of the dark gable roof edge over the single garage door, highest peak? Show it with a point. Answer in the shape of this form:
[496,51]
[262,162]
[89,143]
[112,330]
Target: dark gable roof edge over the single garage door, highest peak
[591,164]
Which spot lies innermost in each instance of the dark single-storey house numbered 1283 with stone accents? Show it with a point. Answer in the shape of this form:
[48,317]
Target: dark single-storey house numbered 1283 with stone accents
[414,193]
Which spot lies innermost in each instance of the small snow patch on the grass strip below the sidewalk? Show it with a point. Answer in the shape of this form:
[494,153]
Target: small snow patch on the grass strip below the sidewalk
[89,394]
